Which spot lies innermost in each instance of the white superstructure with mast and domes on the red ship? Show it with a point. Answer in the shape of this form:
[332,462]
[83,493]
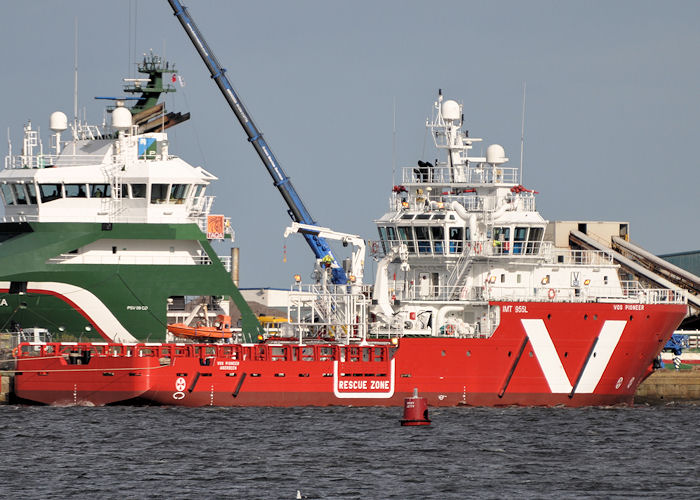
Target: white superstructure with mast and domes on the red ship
[461,234]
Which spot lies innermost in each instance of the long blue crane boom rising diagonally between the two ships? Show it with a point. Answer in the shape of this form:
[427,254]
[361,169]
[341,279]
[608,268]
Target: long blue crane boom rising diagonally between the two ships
[297,210]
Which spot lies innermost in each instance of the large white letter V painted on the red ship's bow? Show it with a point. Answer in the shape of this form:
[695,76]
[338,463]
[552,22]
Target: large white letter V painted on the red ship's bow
[552,366]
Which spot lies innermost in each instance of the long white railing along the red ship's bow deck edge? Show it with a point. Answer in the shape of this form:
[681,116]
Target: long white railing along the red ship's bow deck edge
[626,294]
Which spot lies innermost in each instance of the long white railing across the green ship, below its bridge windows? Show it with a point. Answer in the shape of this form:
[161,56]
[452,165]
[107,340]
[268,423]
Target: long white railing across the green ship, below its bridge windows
[139,260]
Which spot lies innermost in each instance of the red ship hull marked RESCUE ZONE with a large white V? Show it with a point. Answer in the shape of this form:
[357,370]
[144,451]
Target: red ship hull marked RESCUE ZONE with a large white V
[541,354]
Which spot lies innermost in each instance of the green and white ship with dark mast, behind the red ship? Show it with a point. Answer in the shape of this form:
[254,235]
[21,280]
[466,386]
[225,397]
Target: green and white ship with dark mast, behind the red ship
[109,232]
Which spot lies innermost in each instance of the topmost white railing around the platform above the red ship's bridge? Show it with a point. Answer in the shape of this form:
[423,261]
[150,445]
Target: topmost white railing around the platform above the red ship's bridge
[470,175]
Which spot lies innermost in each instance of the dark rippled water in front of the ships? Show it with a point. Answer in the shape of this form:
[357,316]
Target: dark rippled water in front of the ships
[153,452]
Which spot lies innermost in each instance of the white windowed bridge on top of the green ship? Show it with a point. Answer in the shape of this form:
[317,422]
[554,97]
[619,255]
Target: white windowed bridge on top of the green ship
[104,177]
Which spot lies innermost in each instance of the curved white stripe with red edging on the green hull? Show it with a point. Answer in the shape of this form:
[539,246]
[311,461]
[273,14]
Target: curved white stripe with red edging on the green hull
[99,314]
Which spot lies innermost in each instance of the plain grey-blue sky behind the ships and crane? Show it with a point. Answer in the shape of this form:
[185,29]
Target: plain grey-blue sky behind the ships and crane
[613,104]
